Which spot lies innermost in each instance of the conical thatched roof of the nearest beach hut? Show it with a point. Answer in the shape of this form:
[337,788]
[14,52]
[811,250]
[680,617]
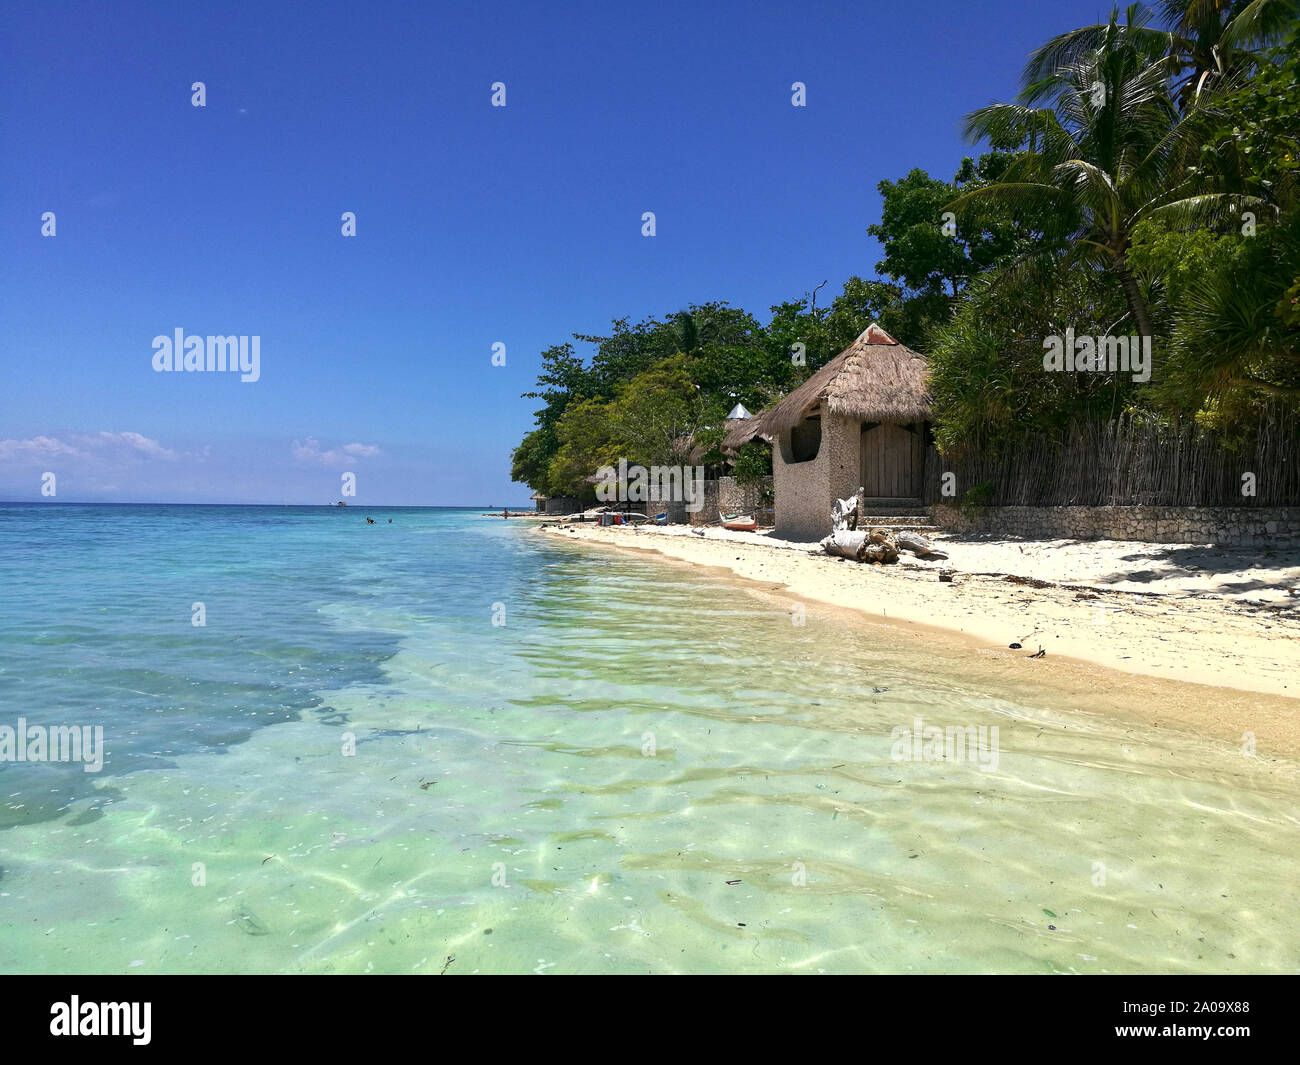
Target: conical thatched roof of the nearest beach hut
[874,379]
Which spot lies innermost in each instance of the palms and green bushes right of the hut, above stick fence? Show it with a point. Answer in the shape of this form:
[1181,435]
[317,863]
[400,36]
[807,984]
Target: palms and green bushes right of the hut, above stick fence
[1169,163]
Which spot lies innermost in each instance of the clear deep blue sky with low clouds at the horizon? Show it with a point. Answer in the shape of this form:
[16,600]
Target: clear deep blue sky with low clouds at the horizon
[475,226]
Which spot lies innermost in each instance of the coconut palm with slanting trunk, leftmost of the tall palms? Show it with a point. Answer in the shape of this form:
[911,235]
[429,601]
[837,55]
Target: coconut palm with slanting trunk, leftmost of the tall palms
[1104,146]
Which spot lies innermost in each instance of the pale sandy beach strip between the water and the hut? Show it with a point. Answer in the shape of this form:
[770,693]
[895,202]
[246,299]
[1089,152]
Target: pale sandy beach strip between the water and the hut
[1110,607]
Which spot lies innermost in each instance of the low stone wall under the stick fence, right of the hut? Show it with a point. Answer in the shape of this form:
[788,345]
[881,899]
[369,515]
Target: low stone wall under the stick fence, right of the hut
[1154,525]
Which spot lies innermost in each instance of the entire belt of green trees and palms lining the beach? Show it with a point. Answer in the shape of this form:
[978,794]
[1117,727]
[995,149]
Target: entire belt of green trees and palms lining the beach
[1143,184]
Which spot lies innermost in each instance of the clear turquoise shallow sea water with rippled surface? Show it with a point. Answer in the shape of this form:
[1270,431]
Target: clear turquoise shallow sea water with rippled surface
[642,770]
